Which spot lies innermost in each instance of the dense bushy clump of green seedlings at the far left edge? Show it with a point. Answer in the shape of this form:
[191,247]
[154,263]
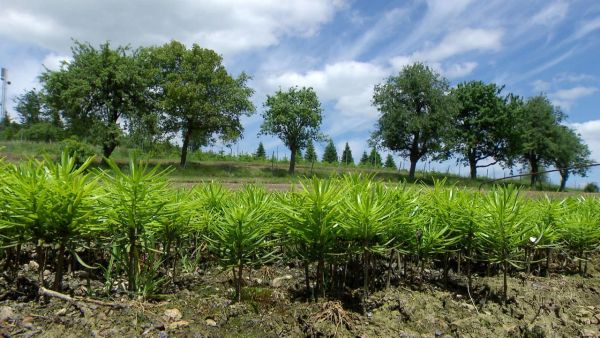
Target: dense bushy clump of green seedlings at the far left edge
[51,205]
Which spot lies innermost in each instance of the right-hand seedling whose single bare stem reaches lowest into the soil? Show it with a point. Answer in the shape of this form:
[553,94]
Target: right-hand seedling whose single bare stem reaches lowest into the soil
[504,228]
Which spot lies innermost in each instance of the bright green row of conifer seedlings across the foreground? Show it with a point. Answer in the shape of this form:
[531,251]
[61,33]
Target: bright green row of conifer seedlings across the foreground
[347,232]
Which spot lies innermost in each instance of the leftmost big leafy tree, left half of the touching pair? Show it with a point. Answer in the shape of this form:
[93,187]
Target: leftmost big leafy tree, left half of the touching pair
[96,90]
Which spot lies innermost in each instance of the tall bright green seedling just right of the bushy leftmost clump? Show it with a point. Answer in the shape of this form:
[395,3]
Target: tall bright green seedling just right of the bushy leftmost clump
[134,204]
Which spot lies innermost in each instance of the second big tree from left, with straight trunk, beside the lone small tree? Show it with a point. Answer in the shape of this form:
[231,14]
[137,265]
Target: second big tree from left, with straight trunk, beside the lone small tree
[199,98]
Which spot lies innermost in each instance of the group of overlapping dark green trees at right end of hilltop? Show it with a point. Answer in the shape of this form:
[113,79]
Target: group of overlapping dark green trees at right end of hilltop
[422,117]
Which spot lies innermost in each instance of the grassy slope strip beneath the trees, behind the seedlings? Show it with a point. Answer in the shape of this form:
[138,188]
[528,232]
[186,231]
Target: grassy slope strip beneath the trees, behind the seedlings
[235,171]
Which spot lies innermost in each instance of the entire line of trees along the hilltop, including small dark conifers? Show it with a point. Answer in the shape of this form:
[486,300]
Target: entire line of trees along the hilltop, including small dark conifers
[156,93]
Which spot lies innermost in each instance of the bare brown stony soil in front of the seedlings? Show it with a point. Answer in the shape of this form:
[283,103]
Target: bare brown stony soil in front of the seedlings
[274,305]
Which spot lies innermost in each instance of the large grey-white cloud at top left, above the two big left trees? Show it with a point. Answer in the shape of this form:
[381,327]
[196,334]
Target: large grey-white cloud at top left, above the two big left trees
[228,26]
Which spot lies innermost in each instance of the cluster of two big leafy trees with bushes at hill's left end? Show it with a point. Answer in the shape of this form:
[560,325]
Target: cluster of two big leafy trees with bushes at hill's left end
[150,94]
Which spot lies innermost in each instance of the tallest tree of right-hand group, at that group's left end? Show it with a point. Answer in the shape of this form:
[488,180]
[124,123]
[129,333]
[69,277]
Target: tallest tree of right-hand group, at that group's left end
[415,114]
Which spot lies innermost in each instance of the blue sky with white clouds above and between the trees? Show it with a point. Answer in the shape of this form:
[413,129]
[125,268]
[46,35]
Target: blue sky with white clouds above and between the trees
[341,48]
